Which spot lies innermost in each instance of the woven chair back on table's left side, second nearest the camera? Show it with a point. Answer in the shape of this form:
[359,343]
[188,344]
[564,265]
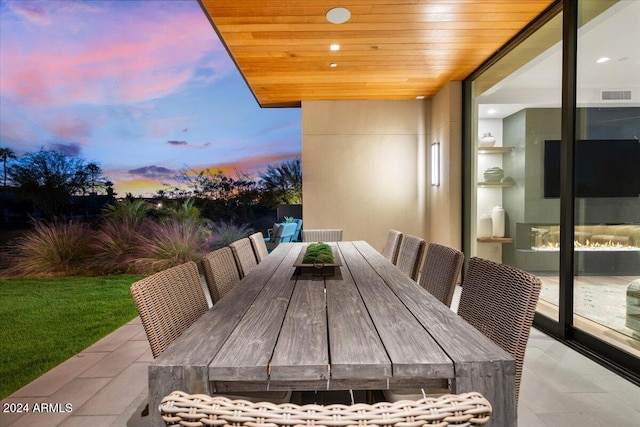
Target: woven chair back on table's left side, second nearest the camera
[220,272]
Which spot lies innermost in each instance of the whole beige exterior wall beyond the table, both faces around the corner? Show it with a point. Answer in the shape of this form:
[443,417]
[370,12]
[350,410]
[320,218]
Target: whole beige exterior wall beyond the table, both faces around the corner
[366,168]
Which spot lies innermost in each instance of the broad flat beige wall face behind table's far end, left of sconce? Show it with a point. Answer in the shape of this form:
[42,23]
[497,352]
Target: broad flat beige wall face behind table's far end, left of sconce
[364,166]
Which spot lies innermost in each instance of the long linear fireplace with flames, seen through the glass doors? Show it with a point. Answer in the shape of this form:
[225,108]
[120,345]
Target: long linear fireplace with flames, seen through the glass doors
[599,249]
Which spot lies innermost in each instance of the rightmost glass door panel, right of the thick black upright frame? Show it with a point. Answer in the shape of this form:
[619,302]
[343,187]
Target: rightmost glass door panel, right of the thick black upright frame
[606,285]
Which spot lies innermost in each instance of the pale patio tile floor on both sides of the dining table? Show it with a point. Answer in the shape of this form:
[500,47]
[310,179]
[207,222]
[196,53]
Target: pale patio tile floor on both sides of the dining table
[106,384]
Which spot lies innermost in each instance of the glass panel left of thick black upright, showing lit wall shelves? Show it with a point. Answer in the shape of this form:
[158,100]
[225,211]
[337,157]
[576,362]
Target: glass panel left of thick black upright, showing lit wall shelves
[517,112]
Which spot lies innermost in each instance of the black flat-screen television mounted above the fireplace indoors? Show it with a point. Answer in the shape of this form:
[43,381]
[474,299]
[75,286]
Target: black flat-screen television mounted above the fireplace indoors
[604,168]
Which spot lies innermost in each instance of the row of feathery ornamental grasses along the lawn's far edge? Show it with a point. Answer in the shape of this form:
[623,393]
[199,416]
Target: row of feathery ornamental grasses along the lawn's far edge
[130,238]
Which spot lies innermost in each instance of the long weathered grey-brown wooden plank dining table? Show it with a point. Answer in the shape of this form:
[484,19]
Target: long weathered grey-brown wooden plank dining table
[366,326]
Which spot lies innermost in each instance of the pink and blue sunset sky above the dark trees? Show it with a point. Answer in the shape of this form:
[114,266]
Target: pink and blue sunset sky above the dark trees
[142,87]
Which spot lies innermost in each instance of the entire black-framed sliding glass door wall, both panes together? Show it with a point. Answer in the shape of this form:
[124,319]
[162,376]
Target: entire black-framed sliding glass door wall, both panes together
[553,141]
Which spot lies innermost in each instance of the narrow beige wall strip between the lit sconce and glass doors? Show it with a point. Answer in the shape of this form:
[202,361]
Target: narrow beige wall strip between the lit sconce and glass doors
[445,208]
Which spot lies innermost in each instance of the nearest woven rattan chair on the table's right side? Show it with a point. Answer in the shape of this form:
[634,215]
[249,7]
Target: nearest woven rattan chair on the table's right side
[500,301]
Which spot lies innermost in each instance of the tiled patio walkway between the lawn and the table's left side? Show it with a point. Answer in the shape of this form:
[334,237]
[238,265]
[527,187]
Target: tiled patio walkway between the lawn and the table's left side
[104,385]
